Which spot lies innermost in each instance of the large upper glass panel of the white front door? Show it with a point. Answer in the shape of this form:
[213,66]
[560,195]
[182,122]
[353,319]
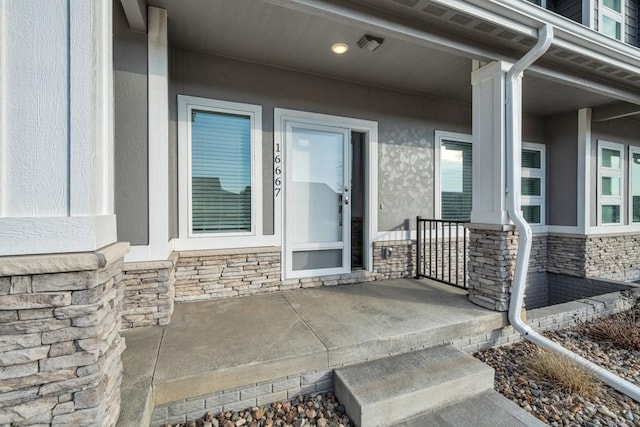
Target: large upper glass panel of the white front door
[317,181]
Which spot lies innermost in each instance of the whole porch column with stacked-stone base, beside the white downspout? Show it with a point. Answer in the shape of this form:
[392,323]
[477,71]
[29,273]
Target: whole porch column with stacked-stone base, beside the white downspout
[492,241]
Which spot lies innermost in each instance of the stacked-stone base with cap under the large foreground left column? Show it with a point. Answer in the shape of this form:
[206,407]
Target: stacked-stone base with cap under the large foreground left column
[60,347]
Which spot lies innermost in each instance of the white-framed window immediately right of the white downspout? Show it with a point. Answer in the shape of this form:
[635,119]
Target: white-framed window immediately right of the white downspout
[532,183]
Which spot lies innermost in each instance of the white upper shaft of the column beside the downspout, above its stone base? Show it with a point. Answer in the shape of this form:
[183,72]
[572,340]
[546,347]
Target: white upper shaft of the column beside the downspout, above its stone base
[488,202]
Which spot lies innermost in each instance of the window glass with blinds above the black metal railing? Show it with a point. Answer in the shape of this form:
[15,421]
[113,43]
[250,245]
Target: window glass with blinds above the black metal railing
[456,180]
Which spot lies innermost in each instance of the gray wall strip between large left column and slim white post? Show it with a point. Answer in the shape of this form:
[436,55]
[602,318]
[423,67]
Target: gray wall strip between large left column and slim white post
[130,130]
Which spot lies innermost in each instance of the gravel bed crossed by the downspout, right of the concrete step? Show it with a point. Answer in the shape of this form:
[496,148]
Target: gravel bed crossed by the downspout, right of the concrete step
[606,407]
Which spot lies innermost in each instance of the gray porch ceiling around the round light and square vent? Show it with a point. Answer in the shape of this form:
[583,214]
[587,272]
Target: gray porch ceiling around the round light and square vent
[267,33]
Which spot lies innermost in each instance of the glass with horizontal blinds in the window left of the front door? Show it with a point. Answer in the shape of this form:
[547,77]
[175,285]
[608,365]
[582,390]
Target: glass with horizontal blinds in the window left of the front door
[220,172]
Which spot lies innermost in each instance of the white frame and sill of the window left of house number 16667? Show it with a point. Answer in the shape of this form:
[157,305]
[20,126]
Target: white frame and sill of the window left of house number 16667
[188,240]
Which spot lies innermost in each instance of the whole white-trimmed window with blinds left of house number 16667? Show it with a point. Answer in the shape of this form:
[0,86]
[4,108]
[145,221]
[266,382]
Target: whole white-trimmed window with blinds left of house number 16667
[220,149]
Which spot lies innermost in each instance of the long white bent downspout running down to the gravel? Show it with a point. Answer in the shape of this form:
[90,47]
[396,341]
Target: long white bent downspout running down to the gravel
[513,145]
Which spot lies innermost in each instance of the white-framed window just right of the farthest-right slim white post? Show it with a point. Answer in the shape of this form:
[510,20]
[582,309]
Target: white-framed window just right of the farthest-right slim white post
[610,173]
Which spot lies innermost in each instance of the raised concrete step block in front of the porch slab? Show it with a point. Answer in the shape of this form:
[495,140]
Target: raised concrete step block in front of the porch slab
[386,391]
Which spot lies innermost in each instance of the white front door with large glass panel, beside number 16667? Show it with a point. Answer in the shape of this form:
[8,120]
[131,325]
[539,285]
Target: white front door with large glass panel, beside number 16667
[317,208]
